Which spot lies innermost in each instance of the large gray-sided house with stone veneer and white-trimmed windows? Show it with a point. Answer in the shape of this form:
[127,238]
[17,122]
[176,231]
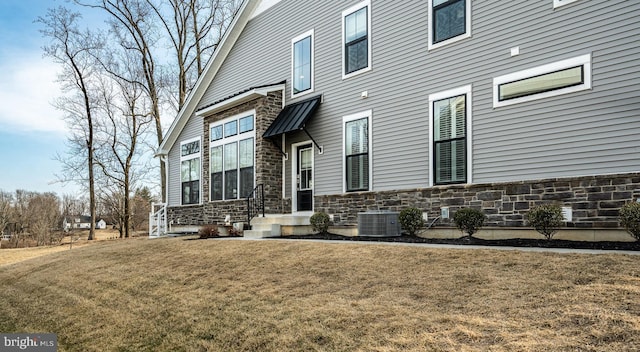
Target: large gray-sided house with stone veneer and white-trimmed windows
[351,106]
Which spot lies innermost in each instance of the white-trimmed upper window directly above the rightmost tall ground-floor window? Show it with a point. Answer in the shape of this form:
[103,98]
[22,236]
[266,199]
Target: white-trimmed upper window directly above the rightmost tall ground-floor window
[449,21]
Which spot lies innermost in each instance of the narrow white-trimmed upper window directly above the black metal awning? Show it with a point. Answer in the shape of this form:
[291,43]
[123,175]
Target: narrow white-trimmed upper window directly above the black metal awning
[302,64]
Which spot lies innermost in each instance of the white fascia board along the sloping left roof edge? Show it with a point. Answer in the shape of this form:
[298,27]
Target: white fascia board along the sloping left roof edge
[213,65]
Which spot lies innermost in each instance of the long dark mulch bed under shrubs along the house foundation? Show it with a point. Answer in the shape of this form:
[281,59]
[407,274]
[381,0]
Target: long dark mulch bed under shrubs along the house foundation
[517,242]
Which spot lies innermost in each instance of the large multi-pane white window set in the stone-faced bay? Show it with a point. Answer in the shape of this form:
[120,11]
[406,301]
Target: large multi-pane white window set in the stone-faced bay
[232,145]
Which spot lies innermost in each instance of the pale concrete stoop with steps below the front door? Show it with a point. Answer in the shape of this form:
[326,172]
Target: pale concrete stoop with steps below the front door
[278,225]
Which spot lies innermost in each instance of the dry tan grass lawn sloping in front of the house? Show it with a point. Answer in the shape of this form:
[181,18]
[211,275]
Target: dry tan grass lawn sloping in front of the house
[219,295]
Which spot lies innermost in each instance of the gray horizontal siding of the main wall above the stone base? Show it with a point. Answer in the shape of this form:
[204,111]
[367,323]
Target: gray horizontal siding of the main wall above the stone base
[584,133]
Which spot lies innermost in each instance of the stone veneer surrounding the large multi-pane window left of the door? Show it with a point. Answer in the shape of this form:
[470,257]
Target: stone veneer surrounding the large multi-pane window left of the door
[268,169]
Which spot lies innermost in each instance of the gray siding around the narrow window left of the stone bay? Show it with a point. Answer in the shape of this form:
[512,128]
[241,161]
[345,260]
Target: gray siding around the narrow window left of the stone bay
[192,129]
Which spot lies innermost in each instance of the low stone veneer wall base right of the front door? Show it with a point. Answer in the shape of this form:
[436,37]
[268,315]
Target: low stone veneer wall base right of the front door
[595,200]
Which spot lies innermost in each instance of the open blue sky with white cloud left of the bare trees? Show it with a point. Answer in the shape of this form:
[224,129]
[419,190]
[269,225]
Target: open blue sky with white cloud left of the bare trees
[32,131]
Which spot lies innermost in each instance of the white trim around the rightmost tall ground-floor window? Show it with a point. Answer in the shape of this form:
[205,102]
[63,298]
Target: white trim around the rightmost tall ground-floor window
[469,140]
